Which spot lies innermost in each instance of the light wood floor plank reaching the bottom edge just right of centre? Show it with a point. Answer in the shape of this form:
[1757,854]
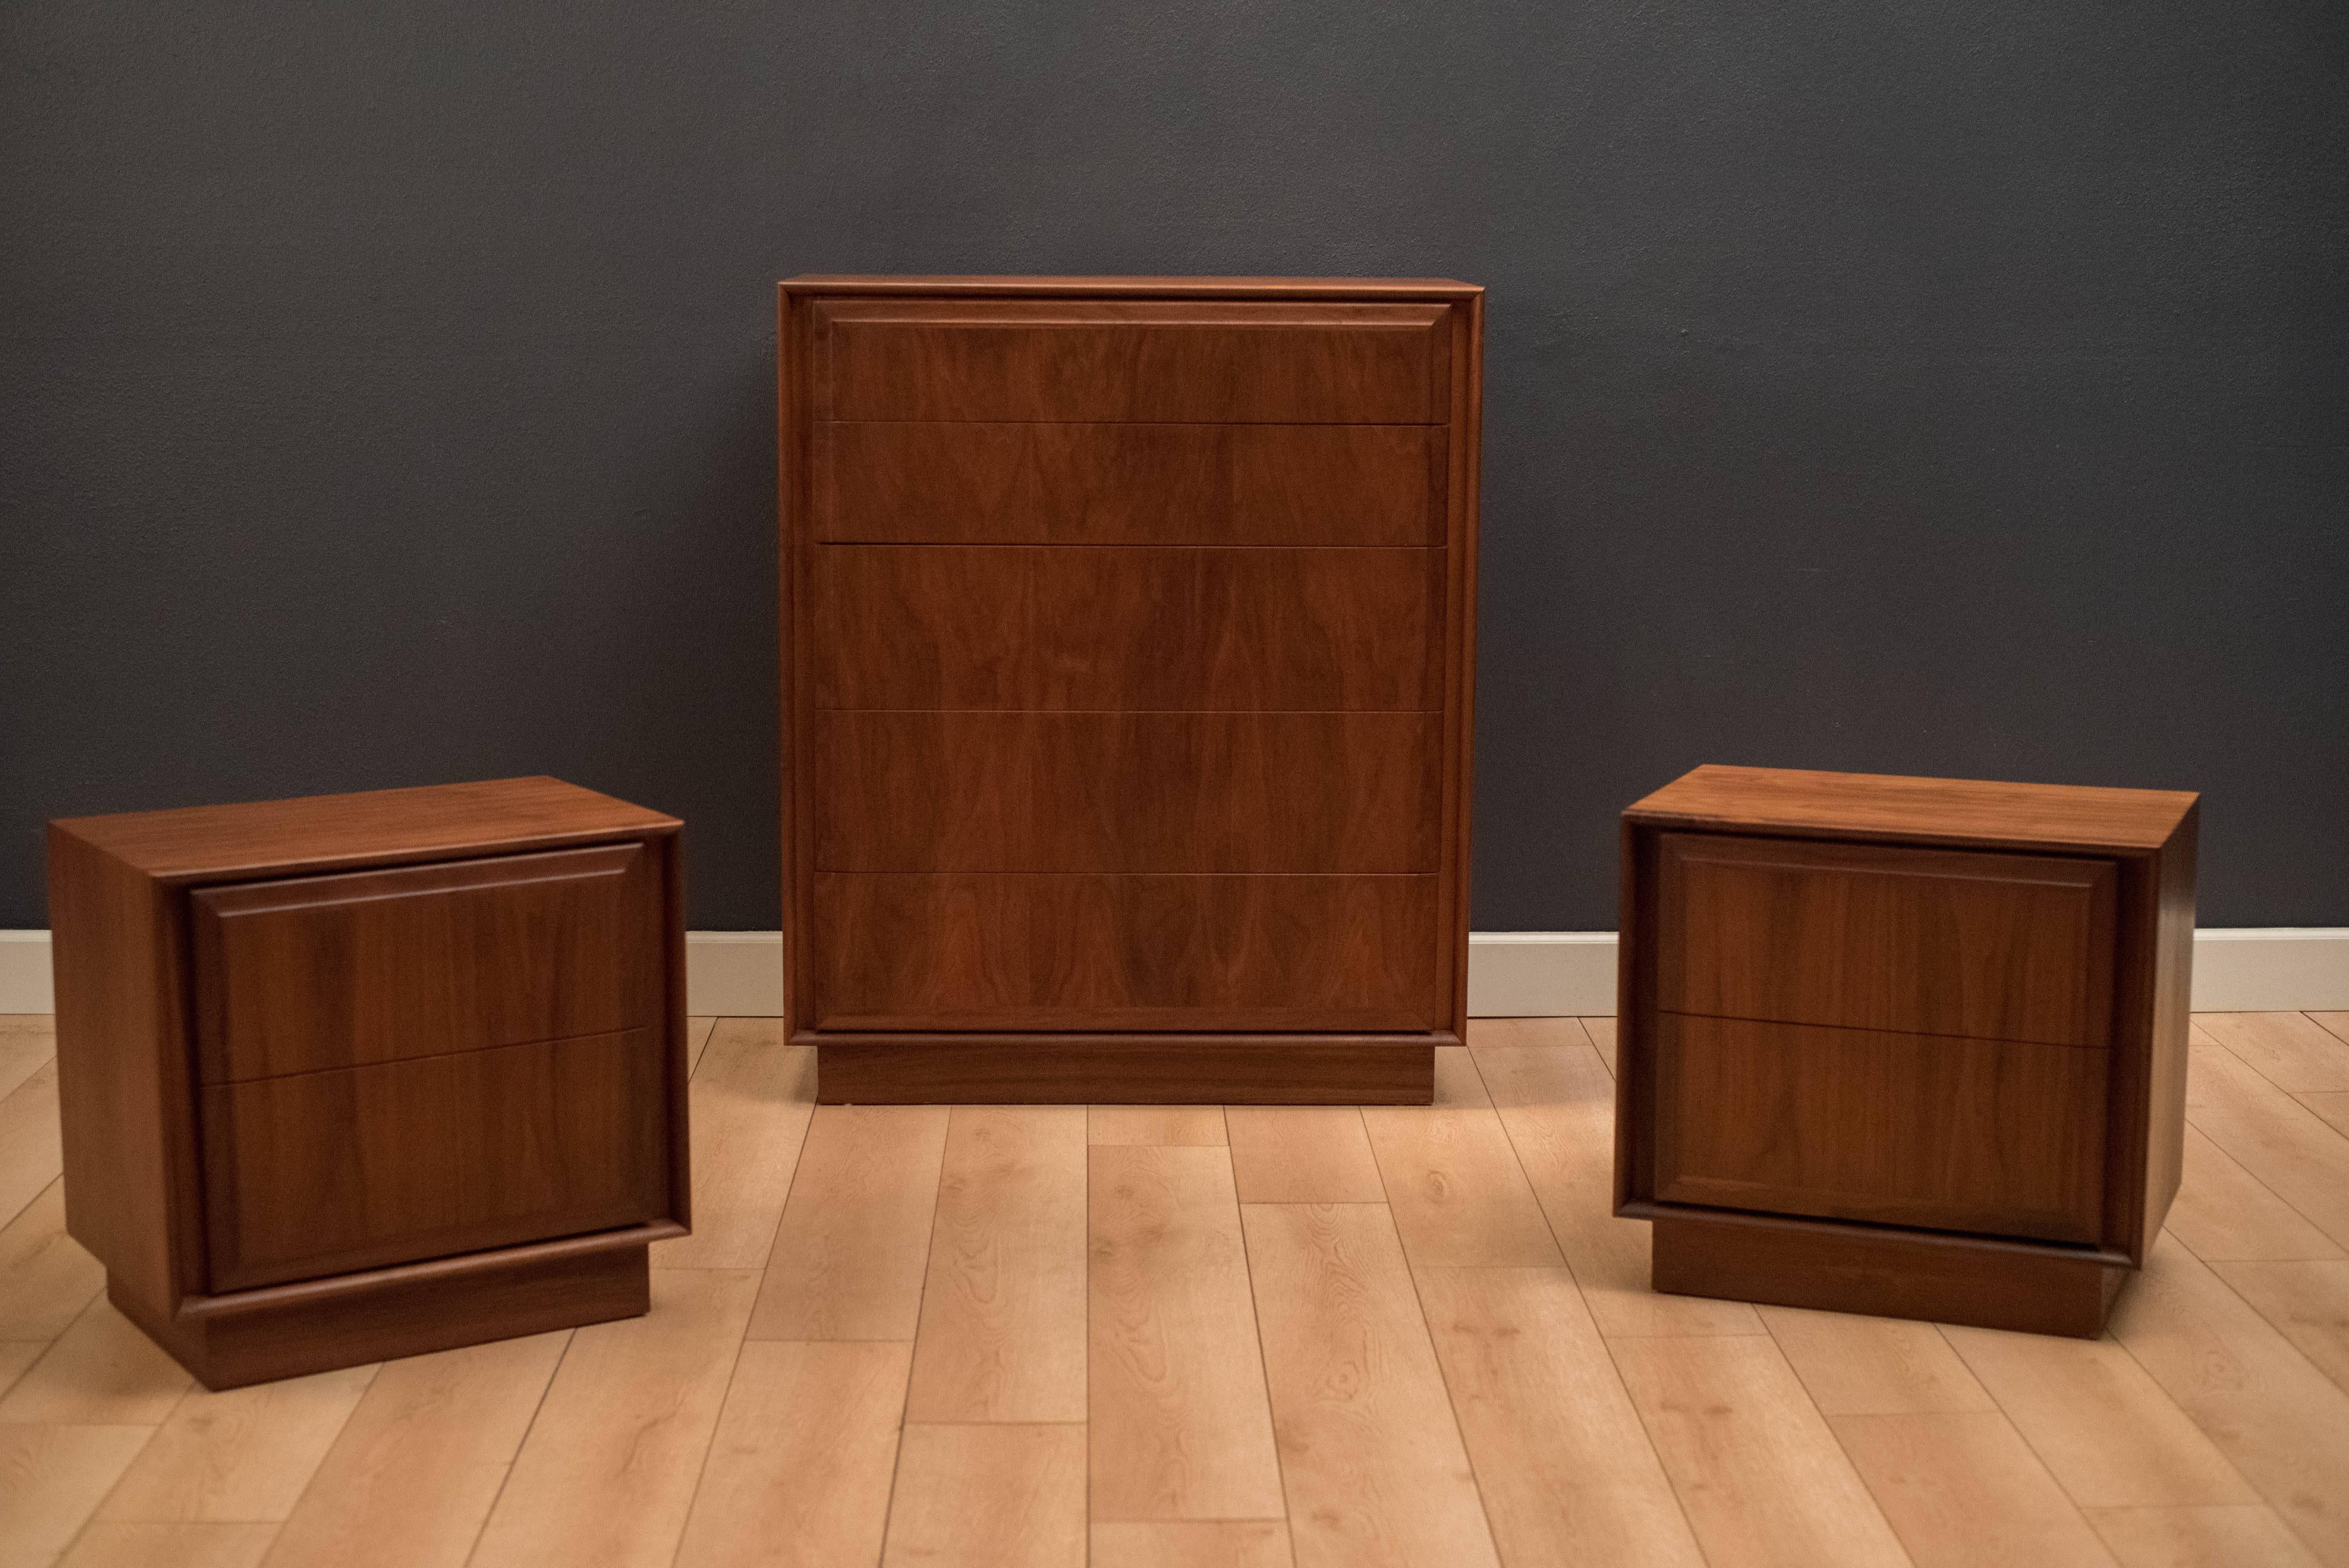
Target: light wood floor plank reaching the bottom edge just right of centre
[1371,1454]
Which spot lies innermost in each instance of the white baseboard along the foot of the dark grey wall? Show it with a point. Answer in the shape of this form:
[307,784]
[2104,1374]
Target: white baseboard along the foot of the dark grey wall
[1512,975]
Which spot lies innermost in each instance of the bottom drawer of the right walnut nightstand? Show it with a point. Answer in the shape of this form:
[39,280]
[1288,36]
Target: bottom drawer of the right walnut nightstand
[1904,1130]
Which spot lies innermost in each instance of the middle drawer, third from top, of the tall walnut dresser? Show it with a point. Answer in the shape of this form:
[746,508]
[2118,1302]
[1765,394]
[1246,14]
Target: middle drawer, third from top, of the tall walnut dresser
[1143,628]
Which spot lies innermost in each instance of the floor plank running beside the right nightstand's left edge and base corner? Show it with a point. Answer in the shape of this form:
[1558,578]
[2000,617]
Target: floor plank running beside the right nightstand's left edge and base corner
[1559,1111]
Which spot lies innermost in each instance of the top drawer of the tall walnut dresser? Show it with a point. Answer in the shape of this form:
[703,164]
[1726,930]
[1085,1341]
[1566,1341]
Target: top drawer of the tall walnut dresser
[1122,360]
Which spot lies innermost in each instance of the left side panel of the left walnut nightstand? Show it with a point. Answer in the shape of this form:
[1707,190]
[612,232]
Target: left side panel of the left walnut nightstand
[121,1069]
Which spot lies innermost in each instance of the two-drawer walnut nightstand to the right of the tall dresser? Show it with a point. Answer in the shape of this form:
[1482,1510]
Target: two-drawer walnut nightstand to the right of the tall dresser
[1904,1046]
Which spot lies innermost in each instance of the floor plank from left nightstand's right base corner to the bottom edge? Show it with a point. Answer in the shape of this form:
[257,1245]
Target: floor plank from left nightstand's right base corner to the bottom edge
[610,1468]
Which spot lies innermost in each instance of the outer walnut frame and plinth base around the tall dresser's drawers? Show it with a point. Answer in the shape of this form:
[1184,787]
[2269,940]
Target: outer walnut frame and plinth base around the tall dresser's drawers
[1197,1067]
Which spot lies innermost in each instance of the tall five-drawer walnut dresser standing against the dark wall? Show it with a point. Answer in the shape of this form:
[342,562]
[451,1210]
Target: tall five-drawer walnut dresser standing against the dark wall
[1126,668]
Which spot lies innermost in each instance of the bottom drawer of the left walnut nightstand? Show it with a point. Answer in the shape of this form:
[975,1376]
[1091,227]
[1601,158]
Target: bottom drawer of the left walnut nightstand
[363,1168]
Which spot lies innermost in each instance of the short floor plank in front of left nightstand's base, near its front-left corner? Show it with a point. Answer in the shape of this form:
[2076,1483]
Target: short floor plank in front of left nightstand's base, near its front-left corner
[243,1454]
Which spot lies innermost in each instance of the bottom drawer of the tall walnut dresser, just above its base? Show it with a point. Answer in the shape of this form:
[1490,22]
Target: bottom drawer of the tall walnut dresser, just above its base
[1126,952]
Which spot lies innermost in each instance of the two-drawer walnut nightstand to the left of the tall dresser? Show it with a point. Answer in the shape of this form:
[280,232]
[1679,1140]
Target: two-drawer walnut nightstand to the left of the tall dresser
[368,1076]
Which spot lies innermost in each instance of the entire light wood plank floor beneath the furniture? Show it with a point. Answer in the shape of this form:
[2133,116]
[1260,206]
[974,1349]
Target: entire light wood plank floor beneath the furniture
[1241,1339]
